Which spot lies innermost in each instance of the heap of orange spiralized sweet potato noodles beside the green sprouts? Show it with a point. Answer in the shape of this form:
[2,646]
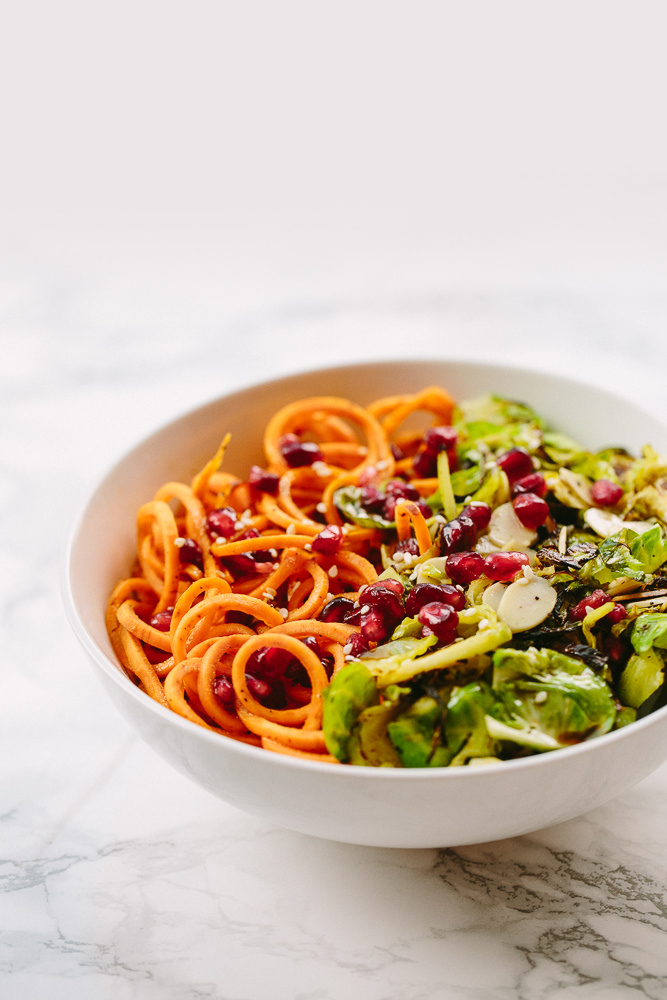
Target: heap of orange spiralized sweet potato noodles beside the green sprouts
[183,631]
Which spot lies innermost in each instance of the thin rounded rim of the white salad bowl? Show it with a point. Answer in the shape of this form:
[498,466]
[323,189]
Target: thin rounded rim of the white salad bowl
[115,673]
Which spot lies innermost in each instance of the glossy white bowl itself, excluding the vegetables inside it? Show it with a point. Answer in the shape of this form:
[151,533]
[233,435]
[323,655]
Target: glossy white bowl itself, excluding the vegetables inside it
[374,806]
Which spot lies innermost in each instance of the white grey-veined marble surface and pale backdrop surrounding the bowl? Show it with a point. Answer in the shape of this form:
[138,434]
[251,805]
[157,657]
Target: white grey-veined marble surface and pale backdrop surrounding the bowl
[141,274]
